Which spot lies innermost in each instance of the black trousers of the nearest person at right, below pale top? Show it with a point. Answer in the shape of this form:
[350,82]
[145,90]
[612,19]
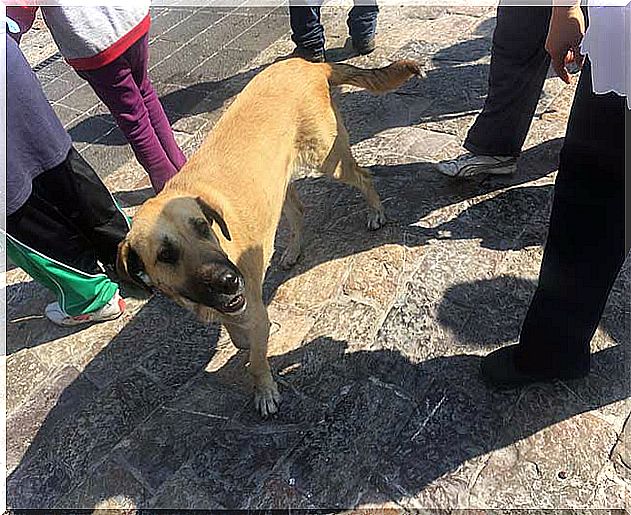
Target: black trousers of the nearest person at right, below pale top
[585,248]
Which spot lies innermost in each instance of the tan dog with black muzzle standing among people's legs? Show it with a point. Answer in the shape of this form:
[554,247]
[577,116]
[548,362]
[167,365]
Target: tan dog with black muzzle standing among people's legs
[206,240]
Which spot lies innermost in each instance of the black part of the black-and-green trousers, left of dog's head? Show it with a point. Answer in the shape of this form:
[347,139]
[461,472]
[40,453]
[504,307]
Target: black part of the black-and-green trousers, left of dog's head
[71,217]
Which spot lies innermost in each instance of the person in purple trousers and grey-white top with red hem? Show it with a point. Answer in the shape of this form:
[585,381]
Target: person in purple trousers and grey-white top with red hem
[109,47]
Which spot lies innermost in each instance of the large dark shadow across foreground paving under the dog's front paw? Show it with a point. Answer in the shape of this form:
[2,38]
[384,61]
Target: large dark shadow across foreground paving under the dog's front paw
[355,426]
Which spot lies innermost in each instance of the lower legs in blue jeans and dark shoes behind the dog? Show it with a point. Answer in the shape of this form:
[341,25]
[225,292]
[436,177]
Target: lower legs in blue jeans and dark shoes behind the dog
[308,32]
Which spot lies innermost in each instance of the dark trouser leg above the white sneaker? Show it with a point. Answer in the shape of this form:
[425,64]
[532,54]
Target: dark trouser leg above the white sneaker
[519,65]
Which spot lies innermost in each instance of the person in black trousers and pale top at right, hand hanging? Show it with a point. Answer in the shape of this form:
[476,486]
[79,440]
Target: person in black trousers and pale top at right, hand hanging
[586,246]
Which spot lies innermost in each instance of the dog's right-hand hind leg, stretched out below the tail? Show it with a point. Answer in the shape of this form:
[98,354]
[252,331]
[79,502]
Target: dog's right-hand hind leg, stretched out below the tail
[341,165]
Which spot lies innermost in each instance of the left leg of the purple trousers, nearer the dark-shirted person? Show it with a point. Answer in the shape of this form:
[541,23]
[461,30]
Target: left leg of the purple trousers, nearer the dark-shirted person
[115,86]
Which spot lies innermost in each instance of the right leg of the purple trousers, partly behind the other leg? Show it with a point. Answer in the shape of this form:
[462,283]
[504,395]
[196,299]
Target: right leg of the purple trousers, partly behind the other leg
[138,56]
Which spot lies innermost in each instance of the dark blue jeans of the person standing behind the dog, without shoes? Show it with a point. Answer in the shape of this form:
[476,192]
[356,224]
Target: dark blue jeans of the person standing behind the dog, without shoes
[308,32]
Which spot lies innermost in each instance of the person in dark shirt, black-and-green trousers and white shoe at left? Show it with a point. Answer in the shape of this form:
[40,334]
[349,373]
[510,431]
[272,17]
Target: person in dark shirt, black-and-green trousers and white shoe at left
[62,225]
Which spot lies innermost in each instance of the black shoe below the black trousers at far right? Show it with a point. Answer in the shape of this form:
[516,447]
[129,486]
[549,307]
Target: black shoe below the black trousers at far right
[500,370]
